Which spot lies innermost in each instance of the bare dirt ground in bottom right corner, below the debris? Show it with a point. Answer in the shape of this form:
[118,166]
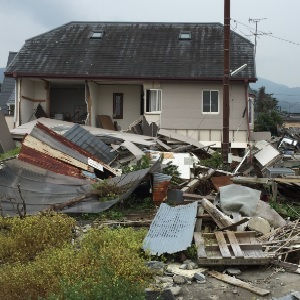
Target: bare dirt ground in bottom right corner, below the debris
[279,282]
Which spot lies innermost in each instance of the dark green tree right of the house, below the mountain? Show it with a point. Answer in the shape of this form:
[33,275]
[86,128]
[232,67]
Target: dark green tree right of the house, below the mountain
[267,117]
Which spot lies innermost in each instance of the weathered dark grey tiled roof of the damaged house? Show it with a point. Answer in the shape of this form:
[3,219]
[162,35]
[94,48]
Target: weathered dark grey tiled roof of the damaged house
[133,50]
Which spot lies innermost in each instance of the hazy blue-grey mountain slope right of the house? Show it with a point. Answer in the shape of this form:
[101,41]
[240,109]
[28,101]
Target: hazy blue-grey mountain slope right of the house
[288,98]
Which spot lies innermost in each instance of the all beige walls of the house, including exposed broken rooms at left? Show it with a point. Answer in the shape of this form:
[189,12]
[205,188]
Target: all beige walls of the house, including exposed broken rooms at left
[181,107]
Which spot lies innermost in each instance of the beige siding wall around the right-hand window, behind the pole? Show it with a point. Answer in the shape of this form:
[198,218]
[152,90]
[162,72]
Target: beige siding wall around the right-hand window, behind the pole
[182,113]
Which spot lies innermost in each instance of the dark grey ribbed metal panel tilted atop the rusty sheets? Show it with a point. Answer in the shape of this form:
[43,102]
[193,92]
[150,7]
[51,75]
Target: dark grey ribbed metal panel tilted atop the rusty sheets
[85,140]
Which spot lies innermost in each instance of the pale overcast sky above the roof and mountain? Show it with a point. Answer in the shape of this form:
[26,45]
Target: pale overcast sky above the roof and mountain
[278,23]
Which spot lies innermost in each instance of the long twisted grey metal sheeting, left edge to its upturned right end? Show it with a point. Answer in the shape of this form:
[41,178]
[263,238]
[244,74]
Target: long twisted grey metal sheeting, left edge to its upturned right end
[42,188]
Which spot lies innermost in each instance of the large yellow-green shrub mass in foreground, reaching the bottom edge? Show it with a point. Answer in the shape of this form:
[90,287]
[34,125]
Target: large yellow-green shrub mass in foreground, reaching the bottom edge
[105,264]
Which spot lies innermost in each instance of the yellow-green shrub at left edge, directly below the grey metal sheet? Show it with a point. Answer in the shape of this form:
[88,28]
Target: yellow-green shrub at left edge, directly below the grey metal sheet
[22,239]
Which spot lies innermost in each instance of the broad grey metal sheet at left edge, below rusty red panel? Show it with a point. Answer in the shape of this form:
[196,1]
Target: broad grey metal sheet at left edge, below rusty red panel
[39,188]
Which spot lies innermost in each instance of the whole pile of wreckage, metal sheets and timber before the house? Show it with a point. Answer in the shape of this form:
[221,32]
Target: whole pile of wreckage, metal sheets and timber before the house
[224,212]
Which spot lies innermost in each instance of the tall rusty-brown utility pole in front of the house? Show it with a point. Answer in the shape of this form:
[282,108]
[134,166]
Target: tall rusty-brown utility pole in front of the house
[225,141]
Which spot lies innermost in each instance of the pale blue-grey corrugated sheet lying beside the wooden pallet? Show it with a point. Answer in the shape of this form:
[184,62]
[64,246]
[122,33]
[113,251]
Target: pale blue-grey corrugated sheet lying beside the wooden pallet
[171,229]
